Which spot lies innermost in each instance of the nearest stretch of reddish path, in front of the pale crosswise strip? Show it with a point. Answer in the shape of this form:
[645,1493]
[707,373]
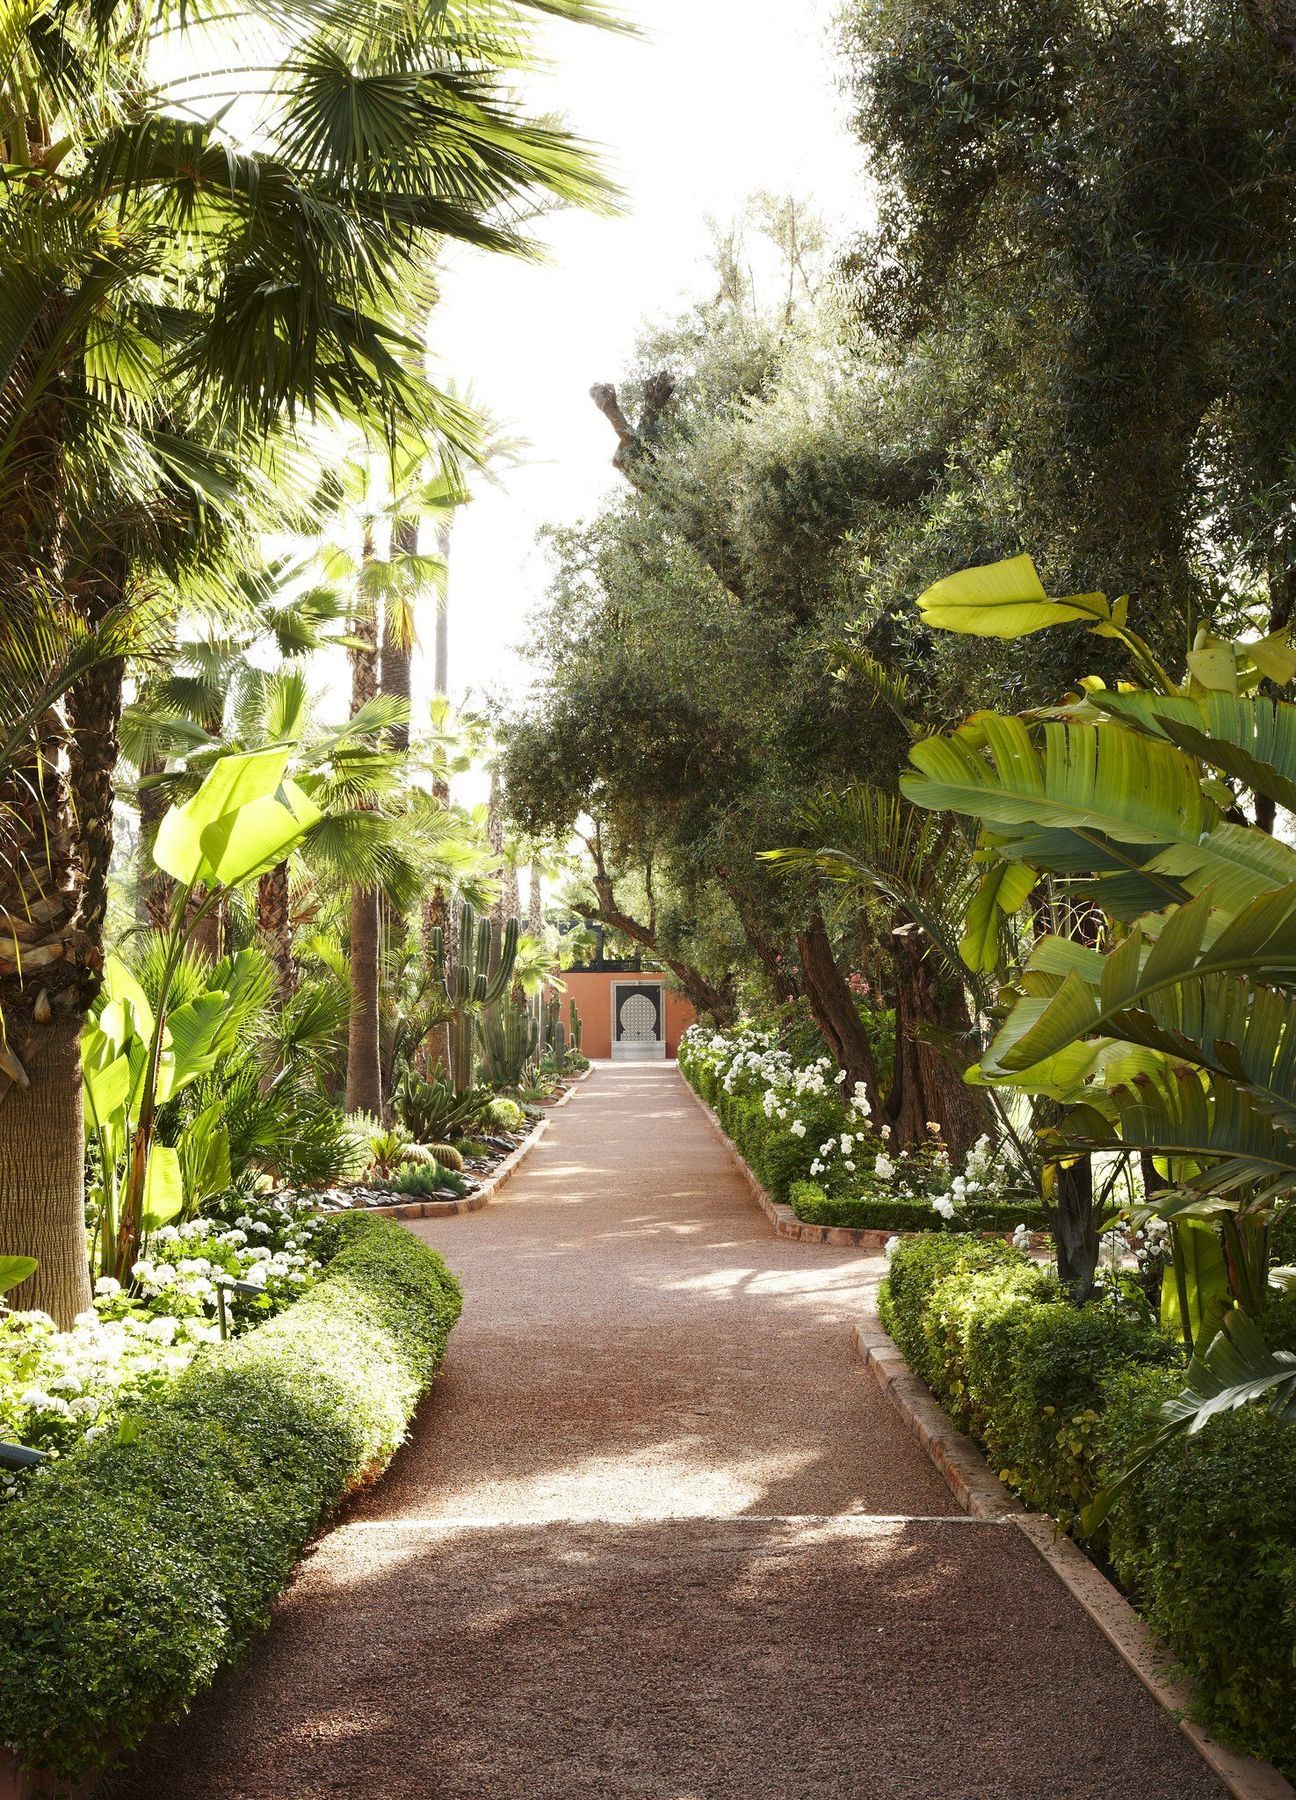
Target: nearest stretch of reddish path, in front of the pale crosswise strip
[701,1659]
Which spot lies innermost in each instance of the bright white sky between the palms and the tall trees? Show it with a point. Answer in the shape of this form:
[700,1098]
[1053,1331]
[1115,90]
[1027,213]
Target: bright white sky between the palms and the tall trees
[717,102]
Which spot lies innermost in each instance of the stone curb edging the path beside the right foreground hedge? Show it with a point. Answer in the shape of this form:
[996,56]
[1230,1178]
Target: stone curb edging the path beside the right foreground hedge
[980,1491]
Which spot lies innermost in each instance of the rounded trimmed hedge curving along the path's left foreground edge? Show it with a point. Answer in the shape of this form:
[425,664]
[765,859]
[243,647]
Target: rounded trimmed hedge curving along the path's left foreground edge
[141,1565]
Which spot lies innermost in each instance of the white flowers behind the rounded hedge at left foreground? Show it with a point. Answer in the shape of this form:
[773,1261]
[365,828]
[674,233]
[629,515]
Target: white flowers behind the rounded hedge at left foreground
[58,1389]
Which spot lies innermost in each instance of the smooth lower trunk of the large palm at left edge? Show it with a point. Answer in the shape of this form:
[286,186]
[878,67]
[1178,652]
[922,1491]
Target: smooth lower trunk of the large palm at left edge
[42,1174]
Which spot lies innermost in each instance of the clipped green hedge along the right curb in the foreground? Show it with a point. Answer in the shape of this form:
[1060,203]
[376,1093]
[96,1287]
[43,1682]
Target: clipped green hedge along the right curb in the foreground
[1203,1538]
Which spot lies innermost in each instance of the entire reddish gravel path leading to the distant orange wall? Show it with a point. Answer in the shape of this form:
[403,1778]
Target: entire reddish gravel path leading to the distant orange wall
[656,1534]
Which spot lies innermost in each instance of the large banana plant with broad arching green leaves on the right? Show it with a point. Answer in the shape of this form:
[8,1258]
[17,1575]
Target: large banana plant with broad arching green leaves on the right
[1176,1036]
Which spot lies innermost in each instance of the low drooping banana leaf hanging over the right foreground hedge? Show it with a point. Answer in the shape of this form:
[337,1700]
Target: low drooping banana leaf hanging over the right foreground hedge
[1236,1371]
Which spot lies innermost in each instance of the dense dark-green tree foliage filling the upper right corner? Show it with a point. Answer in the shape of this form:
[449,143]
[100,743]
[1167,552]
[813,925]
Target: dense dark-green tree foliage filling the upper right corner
[1090,246]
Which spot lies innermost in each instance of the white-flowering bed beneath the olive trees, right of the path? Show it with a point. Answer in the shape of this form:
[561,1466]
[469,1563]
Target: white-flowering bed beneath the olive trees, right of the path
[816,1149]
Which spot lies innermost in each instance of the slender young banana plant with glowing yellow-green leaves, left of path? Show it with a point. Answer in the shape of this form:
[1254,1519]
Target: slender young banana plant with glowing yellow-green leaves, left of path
[138,1056]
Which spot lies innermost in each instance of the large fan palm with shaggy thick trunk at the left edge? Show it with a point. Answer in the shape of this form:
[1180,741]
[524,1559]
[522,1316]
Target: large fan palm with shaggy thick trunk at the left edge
[172,301]
